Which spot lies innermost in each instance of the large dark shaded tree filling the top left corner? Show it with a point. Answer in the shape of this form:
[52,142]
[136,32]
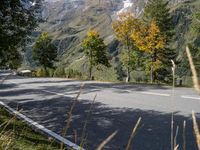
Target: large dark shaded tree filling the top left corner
[17,20]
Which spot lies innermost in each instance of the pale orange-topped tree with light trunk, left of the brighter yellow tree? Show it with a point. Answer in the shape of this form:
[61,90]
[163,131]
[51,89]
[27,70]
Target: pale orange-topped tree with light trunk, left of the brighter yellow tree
[123,27]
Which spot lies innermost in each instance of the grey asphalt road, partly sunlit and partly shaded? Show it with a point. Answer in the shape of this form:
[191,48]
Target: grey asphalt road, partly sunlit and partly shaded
[117,107]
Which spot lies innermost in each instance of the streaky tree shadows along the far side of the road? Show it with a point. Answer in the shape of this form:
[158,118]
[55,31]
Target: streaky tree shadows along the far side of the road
[72,86]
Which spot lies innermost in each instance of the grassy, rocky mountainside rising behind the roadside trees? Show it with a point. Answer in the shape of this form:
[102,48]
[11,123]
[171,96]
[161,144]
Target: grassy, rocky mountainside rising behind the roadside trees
[68,21]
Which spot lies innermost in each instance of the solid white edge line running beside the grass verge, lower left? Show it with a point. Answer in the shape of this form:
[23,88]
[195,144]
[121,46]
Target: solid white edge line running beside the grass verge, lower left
[42,128]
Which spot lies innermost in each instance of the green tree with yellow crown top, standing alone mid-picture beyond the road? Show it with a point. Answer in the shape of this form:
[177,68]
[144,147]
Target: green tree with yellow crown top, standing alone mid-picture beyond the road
[95,50]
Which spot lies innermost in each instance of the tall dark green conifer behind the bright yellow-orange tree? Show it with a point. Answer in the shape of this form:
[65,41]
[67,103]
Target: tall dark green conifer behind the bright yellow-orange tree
[159,12]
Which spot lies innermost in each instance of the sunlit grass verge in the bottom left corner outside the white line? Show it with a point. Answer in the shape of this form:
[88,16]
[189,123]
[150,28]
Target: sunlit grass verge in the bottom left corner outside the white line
[16,135]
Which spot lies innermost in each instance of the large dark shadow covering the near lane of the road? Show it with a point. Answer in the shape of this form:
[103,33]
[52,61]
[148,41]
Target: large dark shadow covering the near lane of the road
[153,133]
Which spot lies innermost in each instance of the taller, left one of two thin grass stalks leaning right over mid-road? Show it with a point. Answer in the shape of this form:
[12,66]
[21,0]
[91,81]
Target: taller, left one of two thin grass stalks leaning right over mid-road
[69,120]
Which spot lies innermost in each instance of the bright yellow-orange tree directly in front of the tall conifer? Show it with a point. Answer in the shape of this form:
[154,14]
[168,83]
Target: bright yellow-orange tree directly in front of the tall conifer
[149,39]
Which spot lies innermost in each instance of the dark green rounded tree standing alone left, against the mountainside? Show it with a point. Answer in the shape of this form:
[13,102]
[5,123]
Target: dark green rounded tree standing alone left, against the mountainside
[44,52]
